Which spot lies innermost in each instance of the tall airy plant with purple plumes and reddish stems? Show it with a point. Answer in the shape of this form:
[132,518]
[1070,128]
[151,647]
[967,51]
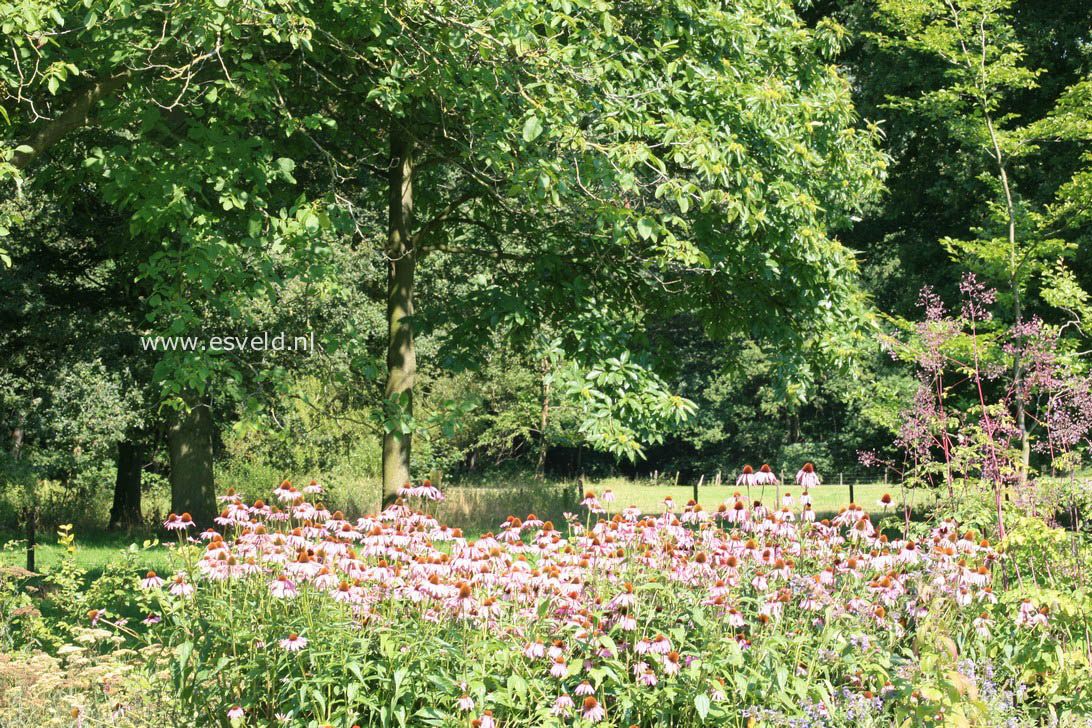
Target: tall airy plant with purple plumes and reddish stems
[978,380]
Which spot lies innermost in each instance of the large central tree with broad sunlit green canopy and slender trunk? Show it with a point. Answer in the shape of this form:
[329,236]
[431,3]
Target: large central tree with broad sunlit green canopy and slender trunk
[614,161]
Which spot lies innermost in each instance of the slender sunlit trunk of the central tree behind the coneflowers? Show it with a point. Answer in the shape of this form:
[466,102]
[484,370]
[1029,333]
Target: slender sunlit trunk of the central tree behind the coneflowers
[401,356]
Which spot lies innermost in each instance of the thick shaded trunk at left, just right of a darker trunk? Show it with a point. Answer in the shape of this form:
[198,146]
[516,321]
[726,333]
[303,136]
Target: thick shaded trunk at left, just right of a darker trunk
[189,447]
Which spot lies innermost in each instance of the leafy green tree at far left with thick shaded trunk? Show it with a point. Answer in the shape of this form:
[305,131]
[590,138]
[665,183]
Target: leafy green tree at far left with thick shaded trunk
[136,92]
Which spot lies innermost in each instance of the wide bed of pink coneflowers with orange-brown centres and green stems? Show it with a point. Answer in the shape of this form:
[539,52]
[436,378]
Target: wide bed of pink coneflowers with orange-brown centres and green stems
[735,616]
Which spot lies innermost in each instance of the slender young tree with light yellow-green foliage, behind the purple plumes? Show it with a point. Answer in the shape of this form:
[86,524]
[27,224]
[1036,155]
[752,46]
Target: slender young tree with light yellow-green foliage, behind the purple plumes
[984,69]
